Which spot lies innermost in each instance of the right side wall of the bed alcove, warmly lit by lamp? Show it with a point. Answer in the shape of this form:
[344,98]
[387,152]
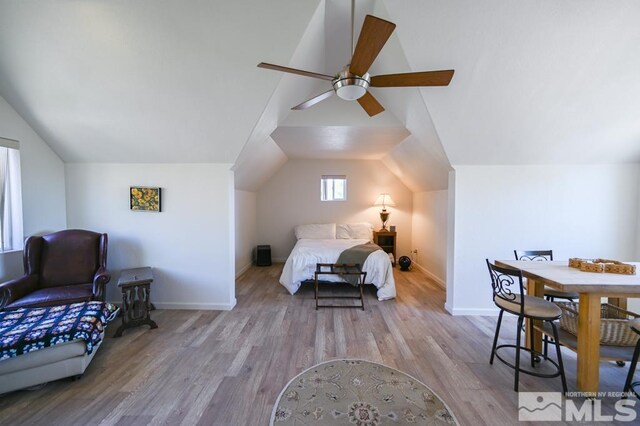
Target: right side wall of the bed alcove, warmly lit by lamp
[429,233]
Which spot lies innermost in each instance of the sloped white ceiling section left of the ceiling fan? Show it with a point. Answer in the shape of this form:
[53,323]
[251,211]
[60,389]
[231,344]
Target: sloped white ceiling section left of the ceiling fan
[145,81]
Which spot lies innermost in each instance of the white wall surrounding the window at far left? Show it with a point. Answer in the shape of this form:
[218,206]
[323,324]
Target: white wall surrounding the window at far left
[43,190]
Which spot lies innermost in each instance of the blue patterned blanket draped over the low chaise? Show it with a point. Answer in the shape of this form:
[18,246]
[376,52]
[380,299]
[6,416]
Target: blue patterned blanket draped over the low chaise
[30,329]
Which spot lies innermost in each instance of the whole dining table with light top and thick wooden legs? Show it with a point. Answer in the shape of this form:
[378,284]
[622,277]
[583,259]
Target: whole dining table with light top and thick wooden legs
[591,287]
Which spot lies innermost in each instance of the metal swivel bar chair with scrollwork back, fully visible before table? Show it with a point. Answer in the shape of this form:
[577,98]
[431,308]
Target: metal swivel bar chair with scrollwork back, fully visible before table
[508,295]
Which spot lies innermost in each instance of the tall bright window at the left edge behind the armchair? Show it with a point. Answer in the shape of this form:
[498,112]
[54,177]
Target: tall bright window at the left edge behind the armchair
[11,233]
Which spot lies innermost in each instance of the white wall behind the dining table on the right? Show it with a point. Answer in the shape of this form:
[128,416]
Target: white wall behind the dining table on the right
[578,211]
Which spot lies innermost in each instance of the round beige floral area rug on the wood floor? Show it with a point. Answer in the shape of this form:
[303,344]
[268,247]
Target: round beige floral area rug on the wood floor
[361,393]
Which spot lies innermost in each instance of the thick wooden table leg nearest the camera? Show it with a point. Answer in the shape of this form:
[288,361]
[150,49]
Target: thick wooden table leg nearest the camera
[589,343]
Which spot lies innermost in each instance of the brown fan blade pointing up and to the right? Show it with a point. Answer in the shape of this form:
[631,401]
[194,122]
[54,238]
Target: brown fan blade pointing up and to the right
[375,33]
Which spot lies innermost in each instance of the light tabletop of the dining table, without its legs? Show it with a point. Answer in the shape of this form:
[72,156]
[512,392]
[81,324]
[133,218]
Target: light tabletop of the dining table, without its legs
[559,275]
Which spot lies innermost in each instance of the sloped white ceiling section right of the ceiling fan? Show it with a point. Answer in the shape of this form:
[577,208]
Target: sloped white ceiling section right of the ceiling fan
[536,82]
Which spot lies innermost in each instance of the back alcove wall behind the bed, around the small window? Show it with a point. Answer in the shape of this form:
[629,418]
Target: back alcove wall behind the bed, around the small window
[292,197]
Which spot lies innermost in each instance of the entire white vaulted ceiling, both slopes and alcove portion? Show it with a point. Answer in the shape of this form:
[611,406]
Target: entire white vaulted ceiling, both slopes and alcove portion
[146,81]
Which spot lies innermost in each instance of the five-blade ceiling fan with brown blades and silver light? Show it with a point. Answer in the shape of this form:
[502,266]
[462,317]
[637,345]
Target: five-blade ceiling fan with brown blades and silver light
[353,82]
